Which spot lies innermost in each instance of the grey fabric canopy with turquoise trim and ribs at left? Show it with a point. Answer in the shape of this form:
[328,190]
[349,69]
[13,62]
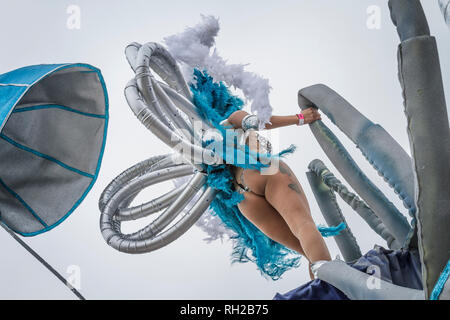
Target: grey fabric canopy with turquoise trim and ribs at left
[53,125]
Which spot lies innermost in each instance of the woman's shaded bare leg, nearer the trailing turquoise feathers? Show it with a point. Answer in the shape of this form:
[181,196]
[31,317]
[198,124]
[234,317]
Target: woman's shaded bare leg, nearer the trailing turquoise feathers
[256,209]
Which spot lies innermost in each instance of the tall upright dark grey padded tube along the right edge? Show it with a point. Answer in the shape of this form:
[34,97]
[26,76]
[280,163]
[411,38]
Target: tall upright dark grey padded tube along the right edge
[429,136]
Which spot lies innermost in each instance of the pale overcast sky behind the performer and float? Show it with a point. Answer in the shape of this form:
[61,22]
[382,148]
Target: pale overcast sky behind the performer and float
[293,43]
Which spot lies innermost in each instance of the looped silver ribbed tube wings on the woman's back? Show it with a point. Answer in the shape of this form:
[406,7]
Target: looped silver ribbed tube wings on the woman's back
[165,108]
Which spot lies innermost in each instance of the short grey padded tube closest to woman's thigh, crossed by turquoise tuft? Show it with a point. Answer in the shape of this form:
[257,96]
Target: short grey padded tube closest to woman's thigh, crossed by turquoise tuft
[326,200]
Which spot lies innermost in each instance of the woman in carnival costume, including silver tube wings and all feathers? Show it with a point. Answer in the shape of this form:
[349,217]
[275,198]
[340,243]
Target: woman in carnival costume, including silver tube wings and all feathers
[250,194]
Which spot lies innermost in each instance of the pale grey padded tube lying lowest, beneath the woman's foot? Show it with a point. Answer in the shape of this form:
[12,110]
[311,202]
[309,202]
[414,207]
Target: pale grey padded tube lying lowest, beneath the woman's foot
[354,284]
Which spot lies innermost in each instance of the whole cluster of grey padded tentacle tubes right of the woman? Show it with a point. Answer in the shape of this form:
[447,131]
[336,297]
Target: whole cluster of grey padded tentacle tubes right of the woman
[422,182]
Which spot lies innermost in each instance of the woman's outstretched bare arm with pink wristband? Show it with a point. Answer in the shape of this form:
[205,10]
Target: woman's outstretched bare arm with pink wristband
[310,115]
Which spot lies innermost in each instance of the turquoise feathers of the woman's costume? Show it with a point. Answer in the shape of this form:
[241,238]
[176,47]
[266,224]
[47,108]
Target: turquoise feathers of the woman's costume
[215,103]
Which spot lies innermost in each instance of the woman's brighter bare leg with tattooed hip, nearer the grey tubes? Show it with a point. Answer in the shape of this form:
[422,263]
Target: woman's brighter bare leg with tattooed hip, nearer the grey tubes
[285,194]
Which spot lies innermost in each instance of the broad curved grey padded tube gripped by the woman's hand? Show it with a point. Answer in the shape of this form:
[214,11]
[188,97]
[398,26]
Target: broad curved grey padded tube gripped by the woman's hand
[377,146]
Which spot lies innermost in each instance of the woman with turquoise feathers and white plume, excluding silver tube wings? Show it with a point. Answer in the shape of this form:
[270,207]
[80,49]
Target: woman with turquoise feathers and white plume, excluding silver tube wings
[262,202]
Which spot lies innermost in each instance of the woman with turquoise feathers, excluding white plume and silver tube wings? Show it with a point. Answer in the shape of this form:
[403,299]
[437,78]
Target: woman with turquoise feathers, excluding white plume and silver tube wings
[261,201]
